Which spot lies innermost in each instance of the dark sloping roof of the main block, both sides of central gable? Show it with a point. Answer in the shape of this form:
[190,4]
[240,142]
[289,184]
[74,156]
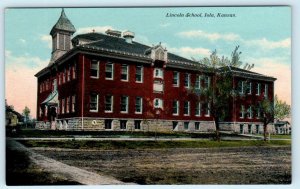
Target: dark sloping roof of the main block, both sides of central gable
[99,40]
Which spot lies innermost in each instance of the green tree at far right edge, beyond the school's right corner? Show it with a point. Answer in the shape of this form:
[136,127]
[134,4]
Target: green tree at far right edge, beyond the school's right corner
[281,110]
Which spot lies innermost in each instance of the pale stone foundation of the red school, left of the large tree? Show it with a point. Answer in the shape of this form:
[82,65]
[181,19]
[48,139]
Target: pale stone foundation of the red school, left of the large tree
[98,124]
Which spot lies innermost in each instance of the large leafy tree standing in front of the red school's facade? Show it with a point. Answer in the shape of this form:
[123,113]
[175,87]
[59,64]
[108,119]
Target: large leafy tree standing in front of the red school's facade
[221,90]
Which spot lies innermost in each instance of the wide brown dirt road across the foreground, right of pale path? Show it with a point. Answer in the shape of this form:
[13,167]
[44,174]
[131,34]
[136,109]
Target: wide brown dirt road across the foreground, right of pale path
[243,165]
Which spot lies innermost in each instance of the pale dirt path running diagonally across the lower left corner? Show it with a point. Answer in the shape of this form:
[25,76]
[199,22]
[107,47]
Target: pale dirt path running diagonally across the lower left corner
[70,172]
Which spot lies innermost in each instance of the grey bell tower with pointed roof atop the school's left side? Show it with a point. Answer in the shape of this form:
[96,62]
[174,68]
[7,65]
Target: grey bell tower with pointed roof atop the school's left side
[61,34]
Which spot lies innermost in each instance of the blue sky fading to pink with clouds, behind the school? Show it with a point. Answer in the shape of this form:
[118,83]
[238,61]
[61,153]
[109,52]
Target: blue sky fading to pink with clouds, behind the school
[263,34]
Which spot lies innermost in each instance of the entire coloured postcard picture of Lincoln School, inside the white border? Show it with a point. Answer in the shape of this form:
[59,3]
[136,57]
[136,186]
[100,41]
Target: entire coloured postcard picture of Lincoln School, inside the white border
[148,95]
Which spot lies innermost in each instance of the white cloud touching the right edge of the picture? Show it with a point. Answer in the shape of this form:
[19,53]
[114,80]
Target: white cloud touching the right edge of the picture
[267,44]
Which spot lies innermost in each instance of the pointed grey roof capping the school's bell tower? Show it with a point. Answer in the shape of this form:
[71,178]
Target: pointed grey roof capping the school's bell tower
[63,23]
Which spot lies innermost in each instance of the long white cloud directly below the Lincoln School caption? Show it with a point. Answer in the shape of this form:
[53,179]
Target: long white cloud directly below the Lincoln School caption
[210,36]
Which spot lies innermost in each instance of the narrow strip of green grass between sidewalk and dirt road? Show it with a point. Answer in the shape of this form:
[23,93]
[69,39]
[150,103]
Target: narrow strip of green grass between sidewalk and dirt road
[77,144]
